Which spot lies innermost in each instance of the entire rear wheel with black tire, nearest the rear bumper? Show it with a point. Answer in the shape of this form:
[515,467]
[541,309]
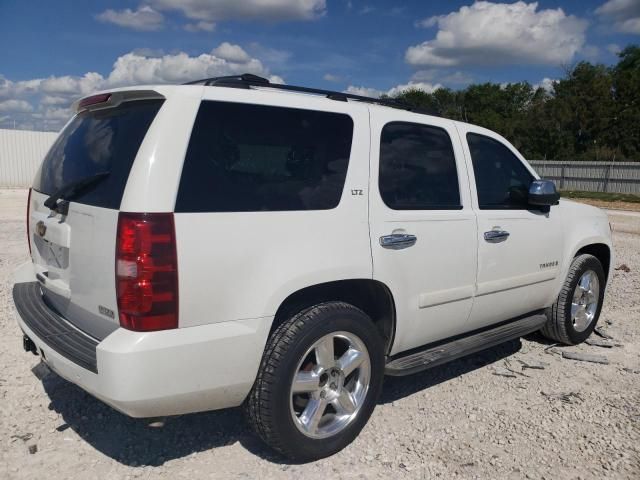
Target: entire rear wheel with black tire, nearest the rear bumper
[284,419]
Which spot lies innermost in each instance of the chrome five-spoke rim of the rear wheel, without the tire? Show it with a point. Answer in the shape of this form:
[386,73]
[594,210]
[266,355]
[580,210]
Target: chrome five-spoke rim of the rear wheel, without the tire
[330,385]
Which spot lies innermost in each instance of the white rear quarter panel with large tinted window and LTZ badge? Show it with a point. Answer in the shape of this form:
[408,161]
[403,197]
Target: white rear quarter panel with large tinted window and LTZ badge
[270,201]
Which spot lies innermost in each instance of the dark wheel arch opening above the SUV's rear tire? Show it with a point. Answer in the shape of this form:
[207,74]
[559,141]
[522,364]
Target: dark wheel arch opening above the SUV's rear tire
[371,296]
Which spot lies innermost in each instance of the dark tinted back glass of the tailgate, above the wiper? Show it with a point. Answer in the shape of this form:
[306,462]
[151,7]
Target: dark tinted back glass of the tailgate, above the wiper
[95,142]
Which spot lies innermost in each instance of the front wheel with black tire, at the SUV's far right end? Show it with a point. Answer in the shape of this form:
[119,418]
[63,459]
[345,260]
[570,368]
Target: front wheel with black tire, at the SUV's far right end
[562,326]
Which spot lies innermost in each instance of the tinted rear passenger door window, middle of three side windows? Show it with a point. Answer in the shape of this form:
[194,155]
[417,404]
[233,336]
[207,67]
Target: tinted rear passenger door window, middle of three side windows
[417,168]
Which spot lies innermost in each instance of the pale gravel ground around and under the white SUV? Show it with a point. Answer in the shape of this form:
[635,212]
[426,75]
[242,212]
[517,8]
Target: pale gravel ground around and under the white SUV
[571,420]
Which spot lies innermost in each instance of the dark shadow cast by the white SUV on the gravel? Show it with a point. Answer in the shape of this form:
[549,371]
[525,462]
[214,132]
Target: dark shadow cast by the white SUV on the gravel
[132,442]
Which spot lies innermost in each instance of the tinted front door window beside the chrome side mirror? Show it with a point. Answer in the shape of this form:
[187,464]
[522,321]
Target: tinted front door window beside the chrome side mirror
[502,180]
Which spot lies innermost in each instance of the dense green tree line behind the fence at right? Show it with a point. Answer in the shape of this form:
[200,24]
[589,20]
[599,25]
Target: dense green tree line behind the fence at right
[592,113]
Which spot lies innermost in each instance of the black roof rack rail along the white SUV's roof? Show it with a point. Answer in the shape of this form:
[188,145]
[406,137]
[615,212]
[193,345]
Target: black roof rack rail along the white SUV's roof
[248,80]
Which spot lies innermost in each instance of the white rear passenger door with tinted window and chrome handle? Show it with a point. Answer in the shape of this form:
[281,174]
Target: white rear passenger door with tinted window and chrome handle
[423,229]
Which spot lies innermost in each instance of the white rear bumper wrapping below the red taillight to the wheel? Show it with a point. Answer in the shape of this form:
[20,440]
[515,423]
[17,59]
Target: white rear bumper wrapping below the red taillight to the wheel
[146,374]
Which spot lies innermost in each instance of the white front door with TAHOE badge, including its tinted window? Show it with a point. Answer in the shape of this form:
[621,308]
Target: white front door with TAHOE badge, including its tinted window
[519,246]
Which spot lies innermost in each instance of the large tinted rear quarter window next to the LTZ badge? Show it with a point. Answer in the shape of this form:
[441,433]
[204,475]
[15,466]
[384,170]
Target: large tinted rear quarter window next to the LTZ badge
[244,157]
